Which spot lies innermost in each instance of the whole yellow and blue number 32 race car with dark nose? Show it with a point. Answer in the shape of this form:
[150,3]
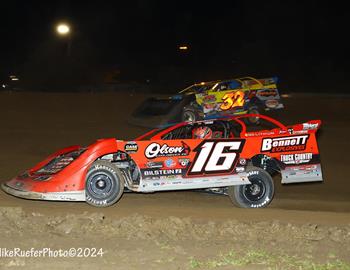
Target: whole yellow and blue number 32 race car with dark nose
[209,100]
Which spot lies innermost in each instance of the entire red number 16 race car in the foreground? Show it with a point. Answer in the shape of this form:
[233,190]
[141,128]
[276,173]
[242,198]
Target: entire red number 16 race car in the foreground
[220,155]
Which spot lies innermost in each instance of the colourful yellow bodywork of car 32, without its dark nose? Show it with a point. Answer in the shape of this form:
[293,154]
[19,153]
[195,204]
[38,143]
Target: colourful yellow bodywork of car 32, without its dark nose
[231,97]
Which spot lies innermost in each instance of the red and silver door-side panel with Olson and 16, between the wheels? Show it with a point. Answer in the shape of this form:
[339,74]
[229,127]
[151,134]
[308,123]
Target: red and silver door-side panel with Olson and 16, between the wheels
[186,164]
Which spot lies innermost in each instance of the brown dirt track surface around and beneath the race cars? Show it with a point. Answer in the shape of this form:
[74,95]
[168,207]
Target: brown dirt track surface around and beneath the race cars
[304,225]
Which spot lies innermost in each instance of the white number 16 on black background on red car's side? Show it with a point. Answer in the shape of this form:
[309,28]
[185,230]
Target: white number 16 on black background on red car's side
[214,157]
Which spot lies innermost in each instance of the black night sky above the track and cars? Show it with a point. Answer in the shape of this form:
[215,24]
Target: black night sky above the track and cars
[304,43]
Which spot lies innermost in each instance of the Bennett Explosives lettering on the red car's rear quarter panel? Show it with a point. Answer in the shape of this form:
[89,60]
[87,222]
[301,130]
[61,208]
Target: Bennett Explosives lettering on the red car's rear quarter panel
[284,144]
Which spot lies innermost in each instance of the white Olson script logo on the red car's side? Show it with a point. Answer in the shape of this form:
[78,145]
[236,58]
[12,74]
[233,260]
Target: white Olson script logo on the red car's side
[156,150]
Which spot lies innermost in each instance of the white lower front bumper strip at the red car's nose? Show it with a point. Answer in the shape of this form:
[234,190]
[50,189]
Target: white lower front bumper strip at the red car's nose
[49,196]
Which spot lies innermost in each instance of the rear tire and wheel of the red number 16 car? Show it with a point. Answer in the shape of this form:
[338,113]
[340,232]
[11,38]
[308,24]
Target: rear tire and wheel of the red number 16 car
[258,194]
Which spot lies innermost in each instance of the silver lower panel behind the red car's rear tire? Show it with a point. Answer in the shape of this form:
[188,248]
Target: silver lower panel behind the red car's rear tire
[301,174]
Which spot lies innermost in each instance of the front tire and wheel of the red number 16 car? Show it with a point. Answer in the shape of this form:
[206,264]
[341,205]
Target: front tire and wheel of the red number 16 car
[104,184]
